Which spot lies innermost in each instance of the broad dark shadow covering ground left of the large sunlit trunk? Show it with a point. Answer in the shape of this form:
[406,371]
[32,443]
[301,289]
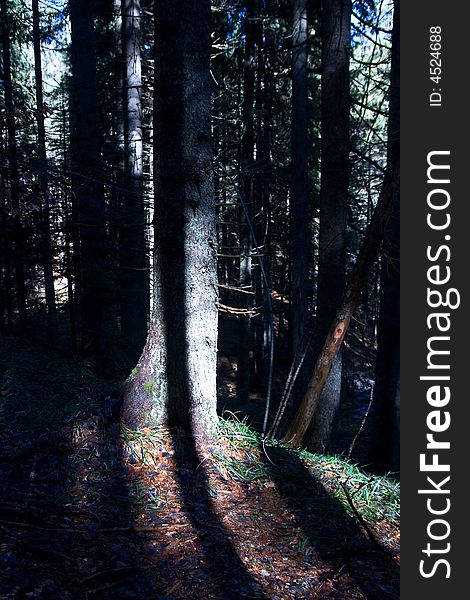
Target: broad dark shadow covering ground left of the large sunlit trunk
[66,515]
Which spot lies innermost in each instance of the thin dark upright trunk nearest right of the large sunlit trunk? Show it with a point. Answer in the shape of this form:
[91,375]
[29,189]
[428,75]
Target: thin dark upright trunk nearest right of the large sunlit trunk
[246,189]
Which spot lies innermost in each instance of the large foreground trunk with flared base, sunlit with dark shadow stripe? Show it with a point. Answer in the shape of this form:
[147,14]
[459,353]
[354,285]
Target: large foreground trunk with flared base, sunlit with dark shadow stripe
[175,379]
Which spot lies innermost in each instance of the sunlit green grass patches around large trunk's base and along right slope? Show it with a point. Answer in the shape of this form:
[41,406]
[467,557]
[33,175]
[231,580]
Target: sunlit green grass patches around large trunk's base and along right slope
[239,453]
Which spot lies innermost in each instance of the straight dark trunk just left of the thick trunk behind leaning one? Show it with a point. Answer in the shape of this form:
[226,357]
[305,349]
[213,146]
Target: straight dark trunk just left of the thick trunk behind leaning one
[299,209]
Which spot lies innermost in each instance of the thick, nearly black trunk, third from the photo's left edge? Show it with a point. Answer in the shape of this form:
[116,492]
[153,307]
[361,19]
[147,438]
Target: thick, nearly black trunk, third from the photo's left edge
[88,212]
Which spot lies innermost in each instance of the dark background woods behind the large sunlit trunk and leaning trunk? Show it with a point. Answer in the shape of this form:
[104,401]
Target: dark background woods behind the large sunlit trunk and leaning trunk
[300,129]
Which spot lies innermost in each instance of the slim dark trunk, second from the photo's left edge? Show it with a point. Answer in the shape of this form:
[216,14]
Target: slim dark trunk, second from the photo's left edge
[43,186]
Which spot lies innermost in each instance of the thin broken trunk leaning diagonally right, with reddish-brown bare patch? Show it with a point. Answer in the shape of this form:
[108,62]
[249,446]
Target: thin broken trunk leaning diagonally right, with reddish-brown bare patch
[340,324]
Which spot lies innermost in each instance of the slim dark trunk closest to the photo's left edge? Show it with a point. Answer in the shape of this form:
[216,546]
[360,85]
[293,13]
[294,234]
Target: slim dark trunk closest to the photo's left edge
[14,177]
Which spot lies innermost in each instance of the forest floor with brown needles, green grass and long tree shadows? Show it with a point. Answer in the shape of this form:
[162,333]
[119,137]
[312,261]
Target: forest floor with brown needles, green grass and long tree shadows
[90,510]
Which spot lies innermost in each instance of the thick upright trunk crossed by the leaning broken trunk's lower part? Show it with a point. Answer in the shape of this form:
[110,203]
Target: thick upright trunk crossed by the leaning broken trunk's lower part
[335,143]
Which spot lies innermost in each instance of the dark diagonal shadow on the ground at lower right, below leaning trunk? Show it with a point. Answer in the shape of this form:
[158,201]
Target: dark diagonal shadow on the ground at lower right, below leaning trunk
[335,536]
